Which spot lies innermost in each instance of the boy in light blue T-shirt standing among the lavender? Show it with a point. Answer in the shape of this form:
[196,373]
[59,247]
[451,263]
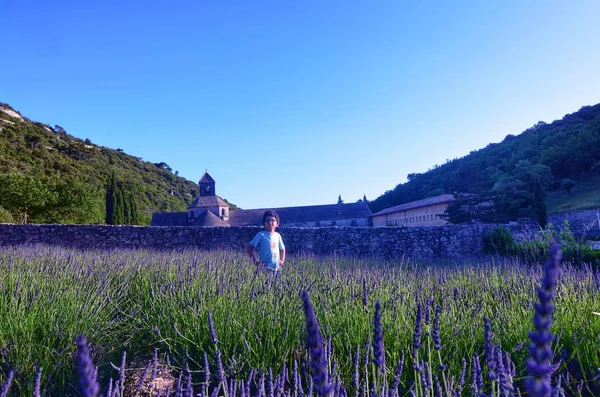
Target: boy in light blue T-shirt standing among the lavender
[268,244]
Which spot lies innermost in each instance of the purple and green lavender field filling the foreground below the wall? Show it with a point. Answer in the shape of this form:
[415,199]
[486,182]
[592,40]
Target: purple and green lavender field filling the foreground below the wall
[207,323]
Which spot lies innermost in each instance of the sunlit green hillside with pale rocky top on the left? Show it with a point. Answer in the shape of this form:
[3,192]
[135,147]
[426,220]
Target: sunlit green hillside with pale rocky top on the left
[55,177]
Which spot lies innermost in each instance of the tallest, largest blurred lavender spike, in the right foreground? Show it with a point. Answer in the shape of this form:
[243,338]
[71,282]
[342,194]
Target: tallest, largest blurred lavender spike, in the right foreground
[539,366]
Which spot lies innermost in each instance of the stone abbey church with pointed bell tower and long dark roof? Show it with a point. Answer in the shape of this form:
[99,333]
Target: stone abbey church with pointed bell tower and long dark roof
[210,210]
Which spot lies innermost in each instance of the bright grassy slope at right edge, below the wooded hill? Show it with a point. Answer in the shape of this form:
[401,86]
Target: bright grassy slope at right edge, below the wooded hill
[584,195]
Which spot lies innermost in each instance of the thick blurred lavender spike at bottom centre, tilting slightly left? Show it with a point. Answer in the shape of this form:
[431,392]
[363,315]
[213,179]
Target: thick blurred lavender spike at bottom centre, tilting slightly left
[315,345]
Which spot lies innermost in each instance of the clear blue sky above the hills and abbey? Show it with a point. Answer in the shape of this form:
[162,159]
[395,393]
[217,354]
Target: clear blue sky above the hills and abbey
[294,102]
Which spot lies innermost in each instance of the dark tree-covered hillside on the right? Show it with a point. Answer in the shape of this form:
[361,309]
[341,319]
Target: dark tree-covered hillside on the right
[519,174]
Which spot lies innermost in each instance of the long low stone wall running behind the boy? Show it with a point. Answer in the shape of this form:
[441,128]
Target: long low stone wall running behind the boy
[416,242]
